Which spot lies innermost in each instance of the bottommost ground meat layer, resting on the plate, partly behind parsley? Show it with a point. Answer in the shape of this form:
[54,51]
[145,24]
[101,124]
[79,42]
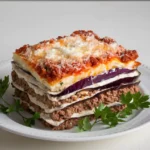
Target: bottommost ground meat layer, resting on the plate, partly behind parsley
[69,123]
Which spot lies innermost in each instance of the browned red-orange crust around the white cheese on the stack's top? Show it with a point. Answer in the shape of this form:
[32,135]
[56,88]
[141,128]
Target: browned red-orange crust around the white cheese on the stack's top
[53,71]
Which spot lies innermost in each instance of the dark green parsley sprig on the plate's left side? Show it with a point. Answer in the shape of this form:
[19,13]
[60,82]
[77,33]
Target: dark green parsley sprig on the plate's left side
[8,108]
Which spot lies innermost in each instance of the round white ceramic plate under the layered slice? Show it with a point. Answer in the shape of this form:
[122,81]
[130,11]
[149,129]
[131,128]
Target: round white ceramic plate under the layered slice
[13,123]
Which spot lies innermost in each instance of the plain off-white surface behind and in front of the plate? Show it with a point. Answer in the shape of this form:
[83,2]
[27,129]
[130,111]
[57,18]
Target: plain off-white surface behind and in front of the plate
[31,22]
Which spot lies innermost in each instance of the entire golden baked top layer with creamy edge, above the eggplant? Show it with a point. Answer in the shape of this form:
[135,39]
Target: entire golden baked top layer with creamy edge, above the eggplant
[71,58]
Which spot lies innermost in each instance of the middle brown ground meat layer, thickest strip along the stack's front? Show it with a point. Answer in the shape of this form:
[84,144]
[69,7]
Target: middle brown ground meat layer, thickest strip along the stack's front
[106,98]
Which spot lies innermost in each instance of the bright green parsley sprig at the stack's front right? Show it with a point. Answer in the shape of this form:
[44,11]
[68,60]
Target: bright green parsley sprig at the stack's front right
[110,118]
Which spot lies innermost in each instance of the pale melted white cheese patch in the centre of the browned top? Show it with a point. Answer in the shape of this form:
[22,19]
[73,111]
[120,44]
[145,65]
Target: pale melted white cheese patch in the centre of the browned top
[75,46]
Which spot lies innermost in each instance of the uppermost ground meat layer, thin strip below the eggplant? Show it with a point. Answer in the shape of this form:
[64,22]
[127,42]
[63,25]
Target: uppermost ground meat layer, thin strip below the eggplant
[56,104]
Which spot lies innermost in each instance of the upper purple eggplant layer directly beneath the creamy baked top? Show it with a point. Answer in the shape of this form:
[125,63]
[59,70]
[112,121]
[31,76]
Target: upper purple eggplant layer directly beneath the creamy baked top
[84,83]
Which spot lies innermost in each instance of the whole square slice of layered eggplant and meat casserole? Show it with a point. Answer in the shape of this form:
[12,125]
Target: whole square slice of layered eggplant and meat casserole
[65,78]
